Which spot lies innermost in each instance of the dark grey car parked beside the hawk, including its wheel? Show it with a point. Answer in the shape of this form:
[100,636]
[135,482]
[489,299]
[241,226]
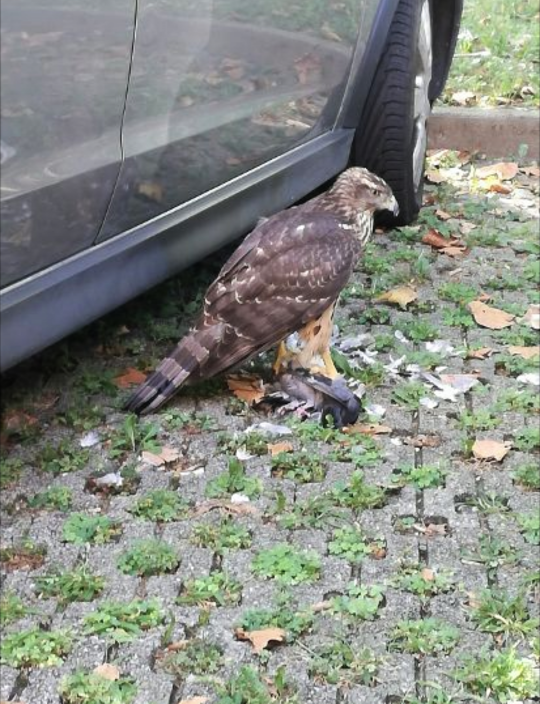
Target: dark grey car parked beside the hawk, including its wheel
[141,135]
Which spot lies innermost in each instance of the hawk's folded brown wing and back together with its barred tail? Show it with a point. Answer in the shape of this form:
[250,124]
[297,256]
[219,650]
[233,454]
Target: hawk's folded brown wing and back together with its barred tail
[288,271]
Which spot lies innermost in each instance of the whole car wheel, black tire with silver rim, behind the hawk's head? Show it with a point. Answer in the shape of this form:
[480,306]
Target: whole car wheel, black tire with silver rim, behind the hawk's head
[392,137]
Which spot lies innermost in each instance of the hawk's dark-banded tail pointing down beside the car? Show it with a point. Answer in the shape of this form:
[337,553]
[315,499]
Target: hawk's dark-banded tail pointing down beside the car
[186,359]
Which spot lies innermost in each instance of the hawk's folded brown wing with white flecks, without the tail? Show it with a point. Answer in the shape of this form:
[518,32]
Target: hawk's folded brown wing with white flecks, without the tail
[289,271]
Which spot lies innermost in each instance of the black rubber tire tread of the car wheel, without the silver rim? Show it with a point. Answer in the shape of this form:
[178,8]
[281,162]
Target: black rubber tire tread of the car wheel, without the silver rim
[386,136]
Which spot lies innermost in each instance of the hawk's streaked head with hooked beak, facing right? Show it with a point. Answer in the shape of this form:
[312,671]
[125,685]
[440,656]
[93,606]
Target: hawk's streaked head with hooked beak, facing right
[358,190]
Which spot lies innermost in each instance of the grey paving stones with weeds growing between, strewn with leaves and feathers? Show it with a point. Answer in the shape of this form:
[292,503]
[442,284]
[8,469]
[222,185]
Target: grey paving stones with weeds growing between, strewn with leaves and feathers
[392,567]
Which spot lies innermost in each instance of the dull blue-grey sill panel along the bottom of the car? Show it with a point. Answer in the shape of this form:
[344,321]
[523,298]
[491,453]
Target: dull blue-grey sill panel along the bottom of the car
[57,301]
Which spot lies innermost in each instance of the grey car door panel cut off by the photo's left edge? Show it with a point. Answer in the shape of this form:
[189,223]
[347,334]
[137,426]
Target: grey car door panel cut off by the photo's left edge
[65,67]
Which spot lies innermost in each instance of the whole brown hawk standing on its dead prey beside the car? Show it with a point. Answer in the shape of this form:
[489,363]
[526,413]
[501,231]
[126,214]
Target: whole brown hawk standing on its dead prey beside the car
[284,278]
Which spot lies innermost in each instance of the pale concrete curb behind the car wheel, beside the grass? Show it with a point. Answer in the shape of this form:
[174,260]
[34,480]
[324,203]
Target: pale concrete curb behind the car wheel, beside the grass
[497,132]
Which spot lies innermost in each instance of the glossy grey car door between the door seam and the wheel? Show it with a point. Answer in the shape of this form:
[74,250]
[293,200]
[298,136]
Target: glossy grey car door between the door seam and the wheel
[219,87]
